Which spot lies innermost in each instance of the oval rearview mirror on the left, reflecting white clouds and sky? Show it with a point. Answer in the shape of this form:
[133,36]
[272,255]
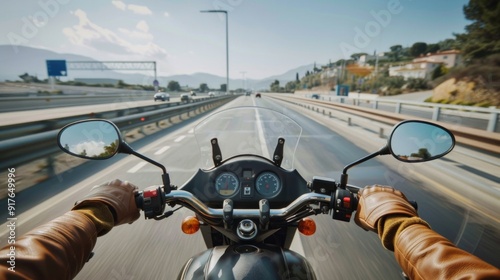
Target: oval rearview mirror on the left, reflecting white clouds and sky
[90,139]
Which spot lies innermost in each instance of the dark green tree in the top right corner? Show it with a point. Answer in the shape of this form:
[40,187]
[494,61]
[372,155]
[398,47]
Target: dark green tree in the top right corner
[482,37]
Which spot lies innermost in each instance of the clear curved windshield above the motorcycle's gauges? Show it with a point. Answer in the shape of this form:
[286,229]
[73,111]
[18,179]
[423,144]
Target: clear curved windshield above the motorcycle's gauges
[247,130]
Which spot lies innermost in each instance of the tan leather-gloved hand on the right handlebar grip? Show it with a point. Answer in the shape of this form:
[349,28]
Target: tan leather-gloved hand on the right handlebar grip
[378,201]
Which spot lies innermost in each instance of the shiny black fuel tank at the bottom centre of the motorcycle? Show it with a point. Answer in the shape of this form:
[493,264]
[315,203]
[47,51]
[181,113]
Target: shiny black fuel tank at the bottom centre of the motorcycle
[247,262]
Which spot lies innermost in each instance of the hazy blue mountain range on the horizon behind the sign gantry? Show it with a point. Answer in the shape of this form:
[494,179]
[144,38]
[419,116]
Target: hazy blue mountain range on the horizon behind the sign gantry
[17,60]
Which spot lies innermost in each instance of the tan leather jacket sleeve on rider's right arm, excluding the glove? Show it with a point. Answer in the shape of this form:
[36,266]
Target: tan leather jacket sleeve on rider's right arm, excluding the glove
[424,254]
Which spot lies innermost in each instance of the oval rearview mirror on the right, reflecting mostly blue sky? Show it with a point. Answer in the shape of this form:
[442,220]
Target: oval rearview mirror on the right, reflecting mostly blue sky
[418,141]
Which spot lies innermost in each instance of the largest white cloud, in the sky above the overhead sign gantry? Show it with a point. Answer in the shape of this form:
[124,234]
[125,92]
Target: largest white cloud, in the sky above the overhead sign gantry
[91,35]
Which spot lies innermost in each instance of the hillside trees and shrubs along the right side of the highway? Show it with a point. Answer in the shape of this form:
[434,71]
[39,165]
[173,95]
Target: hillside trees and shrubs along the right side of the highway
[475,82]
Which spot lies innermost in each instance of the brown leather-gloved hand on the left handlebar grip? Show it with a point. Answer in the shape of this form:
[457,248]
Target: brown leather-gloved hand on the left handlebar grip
[119,196]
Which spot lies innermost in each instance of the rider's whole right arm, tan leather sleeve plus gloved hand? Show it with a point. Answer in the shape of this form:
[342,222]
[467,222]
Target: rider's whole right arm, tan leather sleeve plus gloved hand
[421,252]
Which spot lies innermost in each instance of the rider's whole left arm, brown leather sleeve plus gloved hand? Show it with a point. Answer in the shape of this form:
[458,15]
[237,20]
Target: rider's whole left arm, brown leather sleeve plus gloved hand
[60,248]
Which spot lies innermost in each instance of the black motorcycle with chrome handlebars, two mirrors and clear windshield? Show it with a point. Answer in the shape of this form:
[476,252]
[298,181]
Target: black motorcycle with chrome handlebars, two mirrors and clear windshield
[249,204]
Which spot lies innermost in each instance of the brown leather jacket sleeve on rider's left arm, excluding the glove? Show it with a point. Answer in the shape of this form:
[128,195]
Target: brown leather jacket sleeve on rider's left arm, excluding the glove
[57,249]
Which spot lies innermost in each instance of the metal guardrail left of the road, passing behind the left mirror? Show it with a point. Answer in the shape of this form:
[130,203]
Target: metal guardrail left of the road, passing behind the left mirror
[26,148]
